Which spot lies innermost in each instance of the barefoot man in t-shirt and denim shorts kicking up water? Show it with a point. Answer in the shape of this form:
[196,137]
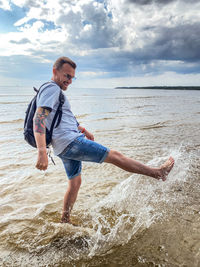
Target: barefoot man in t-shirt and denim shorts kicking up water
[72,142]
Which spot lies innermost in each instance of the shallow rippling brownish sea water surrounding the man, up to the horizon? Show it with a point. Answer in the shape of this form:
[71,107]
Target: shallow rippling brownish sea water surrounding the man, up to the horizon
[124,219]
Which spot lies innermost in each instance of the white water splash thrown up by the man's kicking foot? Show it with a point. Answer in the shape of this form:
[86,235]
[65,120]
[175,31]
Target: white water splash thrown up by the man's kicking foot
[135,204]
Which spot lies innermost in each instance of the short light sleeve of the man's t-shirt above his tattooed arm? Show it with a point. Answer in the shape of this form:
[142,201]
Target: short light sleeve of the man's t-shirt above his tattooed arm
[48,97]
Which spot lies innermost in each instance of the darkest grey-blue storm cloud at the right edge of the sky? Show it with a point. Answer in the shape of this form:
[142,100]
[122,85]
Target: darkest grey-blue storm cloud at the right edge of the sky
[181,42]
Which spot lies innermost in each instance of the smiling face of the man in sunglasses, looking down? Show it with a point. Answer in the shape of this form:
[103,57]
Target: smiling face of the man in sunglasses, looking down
[64,76]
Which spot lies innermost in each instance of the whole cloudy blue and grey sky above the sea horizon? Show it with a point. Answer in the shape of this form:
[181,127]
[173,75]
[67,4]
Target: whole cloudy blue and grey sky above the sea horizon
[113,42]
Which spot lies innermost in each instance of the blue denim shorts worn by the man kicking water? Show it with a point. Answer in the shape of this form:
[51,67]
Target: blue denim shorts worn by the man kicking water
[81,149]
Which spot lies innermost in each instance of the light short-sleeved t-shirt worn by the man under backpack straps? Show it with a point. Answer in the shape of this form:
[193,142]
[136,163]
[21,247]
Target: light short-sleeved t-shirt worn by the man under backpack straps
[67,130]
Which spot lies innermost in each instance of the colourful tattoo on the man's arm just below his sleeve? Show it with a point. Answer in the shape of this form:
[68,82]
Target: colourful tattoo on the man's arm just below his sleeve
[39,120]
